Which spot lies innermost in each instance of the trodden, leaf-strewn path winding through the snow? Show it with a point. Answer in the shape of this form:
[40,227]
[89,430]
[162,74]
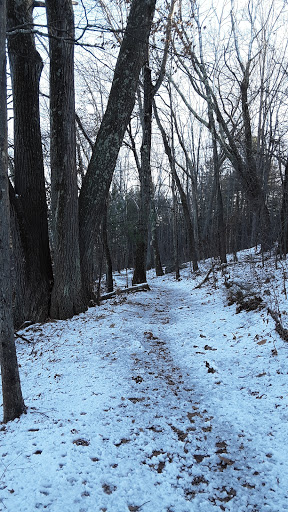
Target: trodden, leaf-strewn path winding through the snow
[216,462]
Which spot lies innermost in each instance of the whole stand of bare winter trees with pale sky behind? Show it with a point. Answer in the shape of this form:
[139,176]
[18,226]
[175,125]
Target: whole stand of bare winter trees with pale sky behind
[134,134]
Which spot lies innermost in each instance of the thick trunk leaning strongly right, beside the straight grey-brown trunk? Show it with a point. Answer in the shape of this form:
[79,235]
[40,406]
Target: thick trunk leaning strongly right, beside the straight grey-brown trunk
[121,102]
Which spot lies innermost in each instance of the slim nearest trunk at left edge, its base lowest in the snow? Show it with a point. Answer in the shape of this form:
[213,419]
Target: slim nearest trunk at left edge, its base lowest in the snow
[13,403]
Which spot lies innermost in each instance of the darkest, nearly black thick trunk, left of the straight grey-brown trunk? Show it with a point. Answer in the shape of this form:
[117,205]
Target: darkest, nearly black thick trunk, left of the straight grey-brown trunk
[26,66]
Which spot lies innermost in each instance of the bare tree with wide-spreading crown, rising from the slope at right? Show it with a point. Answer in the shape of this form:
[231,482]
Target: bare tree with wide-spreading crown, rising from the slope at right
[227,81]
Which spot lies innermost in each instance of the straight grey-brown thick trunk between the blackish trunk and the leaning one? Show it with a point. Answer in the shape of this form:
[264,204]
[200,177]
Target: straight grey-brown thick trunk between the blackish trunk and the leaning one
[66,298]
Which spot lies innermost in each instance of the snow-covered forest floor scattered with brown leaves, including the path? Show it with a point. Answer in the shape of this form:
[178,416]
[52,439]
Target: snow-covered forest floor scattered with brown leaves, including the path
[161,401]
